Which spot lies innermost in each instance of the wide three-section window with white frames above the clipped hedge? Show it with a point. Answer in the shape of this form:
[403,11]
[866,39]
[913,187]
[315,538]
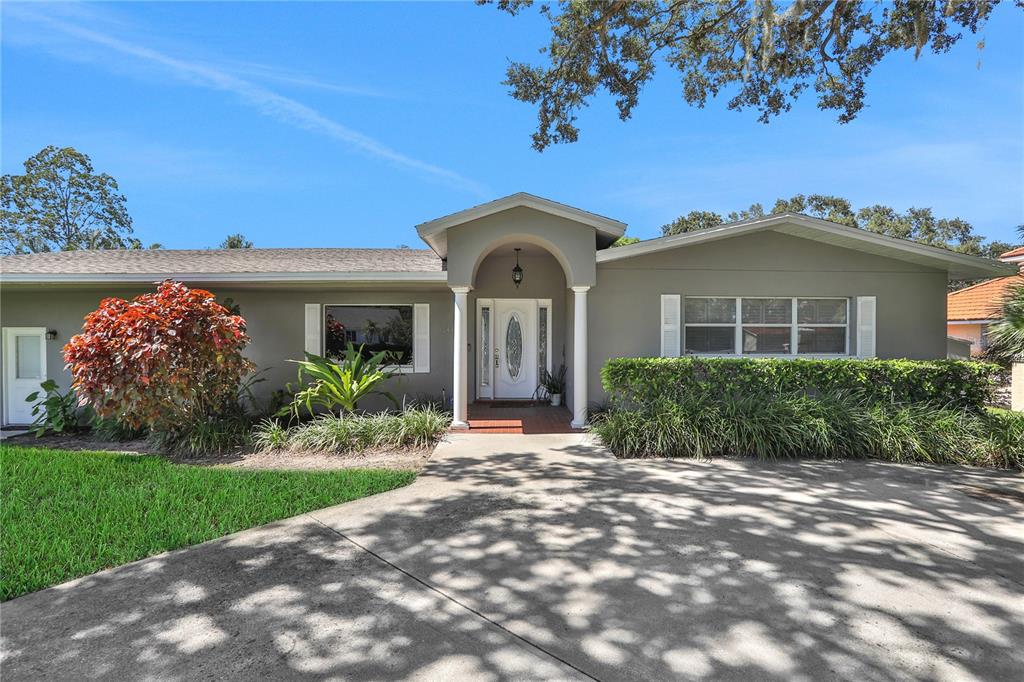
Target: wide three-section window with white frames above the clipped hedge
[766,326]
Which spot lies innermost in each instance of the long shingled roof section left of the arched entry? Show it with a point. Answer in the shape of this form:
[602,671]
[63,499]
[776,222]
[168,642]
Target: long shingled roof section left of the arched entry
[225,266]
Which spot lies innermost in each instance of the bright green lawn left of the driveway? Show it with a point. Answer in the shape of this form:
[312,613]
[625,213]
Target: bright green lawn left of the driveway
[66,515]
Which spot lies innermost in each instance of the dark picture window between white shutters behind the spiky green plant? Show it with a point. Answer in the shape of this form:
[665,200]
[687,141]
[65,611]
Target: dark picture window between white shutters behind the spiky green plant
[375,328]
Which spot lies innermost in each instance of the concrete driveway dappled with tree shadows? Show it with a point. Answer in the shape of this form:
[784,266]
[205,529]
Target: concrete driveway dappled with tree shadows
[542,558]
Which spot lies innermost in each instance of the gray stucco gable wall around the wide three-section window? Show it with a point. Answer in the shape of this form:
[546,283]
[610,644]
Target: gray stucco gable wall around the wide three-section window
[625,313]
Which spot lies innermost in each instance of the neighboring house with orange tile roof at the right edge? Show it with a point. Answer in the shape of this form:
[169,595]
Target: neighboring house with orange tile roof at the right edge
[972,310]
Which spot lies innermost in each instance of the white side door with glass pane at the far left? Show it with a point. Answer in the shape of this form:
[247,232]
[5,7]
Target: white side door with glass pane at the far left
[24,371]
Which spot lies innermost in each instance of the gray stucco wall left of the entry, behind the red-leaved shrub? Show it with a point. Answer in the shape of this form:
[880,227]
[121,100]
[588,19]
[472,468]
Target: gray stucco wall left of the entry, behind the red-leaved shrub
[276,324]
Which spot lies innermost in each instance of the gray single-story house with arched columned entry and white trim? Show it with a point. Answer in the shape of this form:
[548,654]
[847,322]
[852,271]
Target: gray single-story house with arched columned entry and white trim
[780,286]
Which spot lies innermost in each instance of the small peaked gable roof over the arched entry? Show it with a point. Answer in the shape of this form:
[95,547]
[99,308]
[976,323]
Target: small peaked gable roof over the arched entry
[435,233]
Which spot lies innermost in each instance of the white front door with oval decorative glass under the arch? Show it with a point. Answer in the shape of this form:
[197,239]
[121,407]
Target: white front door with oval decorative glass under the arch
[516,345]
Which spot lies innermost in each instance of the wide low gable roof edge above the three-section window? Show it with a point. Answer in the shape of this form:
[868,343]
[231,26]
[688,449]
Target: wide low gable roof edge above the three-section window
[958,266]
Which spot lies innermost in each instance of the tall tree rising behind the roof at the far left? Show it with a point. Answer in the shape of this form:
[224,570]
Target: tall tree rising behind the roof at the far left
[62,204]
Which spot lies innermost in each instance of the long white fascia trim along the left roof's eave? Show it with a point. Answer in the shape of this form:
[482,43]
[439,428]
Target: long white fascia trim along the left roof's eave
[89,278]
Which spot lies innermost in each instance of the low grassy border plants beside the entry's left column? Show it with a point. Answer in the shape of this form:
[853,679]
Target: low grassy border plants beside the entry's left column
[351,433]
